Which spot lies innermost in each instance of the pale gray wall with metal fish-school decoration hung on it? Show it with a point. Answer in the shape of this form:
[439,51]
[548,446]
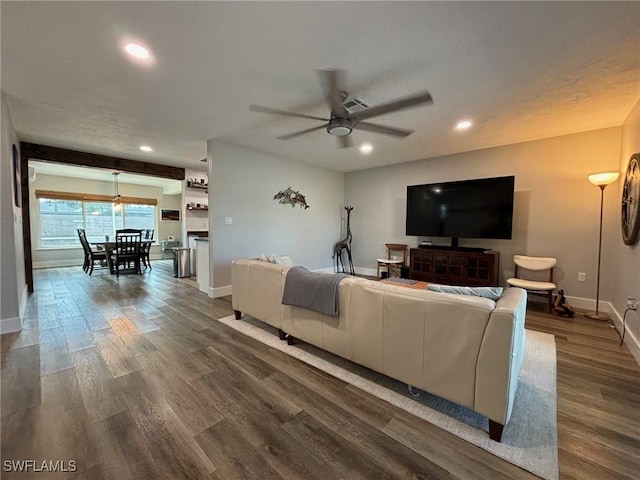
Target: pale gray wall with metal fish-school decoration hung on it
[243,183]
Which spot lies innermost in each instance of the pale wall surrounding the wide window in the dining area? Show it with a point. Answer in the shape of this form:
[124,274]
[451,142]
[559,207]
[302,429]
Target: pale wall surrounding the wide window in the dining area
[73,256]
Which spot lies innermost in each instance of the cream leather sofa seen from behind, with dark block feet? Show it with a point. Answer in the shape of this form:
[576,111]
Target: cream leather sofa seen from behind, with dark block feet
[465,349]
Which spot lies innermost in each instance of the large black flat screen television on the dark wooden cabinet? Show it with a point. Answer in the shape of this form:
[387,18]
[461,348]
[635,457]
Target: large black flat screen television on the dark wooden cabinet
[481,208]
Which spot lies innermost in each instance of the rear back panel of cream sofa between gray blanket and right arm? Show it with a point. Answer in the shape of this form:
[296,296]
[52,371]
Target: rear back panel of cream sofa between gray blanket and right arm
[419,337]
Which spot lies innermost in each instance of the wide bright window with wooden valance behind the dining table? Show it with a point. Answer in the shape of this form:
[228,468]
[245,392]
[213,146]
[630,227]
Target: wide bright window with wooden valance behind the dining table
[61,217]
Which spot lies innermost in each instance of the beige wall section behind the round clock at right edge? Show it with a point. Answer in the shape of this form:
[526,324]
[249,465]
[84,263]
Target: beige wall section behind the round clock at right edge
[624,271]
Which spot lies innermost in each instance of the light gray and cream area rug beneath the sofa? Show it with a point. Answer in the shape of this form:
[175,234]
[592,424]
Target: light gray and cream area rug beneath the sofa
[529,440]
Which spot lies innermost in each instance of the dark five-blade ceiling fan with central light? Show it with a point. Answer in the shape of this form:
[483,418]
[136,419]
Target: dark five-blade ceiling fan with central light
[342,121]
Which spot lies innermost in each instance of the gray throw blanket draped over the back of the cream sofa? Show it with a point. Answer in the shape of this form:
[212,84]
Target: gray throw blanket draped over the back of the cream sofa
[315,291]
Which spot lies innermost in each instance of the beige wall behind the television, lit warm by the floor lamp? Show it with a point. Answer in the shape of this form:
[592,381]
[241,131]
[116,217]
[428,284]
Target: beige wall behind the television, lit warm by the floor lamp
[556,208]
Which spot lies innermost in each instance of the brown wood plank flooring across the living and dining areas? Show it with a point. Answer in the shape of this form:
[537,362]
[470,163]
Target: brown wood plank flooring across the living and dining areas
[132,378]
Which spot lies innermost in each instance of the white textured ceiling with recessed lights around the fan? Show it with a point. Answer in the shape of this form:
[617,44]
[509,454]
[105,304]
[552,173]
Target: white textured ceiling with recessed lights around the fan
[519,70]
